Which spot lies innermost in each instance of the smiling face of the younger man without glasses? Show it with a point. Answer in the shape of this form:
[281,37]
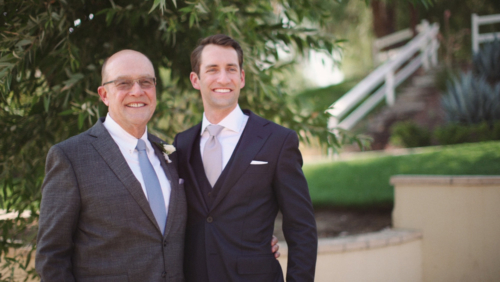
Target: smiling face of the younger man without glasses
[220,79]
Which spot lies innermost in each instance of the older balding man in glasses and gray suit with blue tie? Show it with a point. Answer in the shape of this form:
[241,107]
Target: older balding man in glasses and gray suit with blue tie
[113,208]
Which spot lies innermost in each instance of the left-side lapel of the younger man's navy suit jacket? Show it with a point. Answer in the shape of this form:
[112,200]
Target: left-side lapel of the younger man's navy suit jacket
[187,145]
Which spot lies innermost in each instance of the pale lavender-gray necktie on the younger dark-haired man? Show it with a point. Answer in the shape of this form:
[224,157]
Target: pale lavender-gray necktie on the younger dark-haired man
[212,154]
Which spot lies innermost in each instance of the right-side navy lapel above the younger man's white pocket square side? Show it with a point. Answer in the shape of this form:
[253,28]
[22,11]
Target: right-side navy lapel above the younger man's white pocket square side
[251,141]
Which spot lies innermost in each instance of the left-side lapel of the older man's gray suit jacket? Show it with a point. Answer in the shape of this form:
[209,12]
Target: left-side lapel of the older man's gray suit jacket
[109,151]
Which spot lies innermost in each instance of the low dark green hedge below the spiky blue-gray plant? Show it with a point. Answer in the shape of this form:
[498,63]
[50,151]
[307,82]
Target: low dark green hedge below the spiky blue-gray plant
[459,133]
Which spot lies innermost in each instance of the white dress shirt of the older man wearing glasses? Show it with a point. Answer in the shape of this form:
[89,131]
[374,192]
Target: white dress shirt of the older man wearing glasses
[127,143]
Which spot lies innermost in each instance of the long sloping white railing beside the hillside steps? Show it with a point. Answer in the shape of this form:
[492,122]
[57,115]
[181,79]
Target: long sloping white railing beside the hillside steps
[421,50]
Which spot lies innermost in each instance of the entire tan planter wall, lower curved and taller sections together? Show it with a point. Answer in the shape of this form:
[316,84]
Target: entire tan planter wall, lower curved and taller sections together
[445,228]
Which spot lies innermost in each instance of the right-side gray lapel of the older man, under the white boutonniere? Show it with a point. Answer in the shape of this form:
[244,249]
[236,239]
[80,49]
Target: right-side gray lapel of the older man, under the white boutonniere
[173,179]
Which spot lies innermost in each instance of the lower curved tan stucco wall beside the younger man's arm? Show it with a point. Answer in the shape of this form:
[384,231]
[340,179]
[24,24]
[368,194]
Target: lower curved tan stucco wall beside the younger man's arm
[386,256]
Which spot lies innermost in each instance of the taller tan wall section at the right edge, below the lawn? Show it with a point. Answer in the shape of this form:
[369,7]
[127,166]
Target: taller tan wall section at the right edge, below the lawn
[459,217]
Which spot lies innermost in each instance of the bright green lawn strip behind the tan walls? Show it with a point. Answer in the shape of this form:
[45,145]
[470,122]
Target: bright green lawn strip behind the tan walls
[365,183]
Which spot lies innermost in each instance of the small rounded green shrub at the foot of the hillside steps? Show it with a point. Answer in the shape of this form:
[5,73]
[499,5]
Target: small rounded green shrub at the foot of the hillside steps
[410,135]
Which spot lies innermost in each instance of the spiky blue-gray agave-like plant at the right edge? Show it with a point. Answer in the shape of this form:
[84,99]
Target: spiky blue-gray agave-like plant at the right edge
[471,100]
